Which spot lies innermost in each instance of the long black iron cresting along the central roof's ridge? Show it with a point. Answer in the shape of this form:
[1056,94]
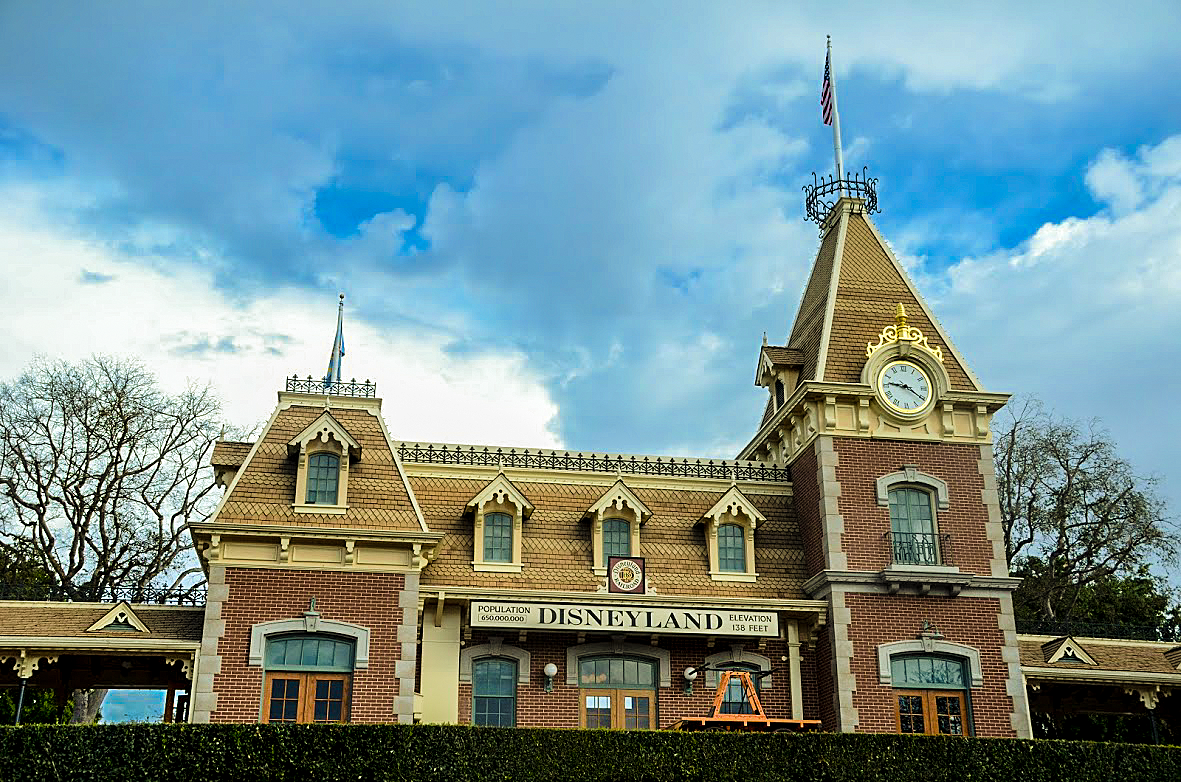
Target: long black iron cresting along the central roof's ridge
[546,460]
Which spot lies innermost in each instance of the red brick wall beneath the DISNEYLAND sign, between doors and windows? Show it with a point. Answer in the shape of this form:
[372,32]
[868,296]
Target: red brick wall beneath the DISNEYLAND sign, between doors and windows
[560,708]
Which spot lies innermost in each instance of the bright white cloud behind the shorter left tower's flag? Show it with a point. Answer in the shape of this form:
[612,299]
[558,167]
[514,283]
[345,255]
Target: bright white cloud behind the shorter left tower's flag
[68,297]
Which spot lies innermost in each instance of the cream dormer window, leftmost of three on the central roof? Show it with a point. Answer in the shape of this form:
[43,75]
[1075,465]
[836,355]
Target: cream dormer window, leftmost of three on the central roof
[499,516]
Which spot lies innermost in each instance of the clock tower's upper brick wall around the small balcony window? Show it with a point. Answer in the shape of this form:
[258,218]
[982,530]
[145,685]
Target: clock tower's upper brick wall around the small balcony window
[864,461]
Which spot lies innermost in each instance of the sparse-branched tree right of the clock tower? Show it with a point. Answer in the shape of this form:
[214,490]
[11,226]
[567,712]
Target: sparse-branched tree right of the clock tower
[1074,512]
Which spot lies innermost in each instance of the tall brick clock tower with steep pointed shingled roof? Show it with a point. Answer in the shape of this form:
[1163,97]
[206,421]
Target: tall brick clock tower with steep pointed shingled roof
[886,433]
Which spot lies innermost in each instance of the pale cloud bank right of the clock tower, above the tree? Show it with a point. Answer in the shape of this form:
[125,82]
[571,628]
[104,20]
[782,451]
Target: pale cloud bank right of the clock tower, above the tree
[1087,311]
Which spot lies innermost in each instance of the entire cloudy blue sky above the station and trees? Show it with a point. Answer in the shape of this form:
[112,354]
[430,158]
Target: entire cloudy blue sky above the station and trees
[570,225]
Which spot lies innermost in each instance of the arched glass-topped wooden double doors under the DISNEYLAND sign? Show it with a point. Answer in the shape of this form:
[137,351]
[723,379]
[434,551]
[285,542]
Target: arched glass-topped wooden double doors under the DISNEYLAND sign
[618,693]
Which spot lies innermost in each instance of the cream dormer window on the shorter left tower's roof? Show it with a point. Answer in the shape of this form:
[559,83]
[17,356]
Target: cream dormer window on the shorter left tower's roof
[325,452]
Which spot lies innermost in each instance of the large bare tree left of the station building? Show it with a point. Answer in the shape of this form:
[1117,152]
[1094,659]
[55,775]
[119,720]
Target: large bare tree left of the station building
[102,472]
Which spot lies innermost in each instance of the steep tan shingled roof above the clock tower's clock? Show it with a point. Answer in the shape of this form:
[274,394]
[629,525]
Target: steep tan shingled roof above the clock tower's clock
[854,291]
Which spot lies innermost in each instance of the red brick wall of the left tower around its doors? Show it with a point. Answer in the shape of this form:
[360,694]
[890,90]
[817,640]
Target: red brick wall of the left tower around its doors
[256,596]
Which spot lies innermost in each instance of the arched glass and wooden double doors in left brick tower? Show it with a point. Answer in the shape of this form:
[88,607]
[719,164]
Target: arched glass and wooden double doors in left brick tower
[308,679]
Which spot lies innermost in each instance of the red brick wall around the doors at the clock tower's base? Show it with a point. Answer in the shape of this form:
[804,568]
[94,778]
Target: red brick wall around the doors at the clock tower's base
[973,622]
